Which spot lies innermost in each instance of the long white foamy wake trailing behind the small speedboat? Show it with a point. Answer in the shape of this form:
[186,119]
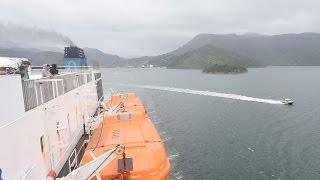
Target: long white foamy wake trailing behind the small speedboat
[204,93]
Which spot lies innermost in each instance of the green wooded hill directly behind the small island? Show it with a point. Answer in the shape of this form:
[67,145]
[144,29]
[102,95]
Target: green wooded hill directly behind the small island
[203,57]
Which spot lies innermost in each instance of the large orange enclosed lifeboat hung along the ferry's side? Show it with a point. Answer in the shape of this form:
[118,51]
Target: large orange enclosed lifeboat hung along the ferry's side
[126,122]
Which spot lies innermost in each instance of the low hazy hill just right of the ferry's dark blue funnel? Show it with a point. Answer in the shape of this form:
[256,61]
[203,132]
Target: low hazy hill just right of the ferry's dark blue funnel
[105,60]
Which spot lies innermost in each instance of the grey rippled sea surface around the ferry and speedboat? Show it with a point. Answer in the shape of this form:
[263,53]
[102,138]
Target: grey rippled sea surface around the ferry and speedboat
[217,138]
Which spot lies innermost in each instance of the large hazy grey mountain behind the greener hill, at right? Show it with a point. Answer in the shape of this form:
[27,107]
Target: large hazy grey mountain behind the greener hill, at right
[287,49]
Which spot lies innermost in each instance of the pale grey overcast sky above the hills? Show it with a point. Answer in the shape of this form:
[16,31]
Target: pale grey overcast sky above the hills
[132,28]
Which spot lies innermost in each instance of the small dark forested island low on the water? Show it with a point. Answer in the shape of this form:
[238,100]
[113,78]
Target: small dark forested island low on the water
[225,69]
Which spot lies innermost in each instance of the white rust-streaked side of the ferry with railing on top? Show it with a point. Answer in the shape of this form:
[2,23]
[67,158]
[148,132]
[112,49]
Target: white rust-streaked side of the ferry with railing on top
[42,120]
